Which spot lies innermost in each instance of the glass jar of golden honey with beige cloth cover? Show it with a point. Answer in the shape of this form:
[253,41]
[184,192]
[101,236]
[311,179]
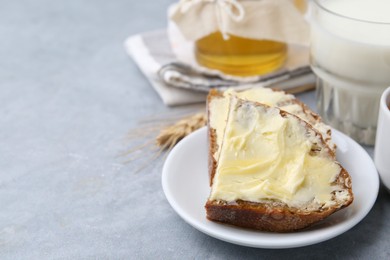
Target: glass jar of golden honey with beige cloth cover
[241,37]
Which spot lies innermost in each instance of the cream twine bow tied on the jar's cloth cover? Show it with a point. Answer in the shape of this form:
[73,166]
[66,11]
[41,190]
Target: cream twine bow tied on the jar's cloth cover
[232,8]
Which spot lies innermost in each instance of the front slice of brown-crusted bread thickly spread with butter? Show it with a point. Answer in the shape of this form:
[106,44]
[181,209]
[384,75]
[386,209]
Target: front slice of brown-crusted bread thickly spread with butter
[275,172]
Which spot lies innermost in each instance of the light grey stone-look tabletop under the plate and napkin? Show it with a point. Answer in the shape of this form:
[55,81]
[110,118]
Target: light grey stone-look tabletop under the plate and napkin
[68,96]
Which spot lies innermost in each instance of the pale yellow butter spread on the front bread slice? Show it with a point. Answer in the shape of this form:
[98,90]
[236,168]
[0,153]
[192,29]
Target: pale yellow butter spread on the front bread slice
[266,155]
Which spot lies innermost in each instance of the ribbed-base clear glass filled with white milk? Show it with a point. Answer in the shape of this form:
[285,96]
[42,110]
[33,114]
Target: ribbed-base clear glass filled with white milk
[350,54]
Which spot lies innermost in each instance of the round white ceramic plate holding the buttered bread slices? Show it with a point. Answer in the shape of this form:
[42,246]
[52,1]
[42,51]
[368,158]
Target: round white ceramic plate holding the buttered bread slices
[185,184]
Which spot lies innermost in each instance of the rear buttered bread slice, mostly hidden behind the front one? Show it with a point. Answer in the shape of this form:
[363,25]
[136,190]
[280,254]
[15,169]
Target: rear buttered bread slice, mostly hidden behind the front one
[217,109]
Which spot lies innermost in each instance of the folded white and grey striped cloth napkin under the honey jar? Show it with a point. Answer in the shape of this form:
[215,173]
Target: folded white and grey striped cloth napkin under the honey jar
[152,51]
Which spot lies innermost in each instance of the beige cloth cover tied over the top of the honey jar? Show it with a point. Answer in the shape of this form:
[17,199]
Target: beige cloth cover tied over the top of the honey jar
[275,20]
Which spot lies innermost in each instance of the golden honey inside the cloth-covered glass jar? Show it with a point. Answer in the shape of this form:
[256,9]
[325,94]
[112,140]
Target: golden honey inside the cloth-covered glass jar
[242,56]
